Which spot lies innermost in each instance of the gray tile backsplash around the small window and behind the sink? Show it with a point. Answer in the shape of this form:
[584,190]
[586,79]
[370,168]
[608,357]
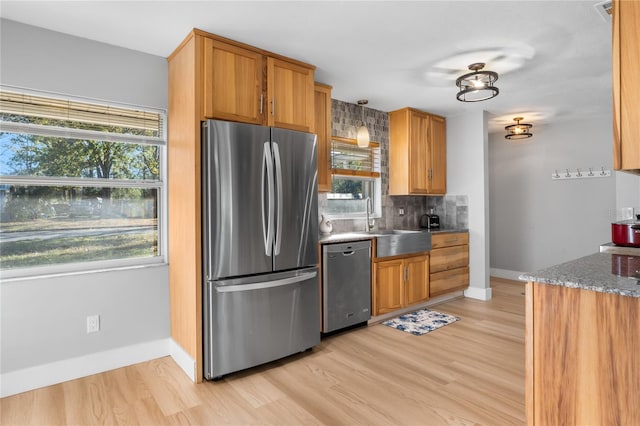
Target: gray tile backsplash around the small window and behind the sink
[452,209]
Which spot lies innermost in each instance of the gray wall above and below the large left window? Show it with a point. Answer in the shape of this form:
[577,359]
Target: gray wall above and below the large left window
[43,319]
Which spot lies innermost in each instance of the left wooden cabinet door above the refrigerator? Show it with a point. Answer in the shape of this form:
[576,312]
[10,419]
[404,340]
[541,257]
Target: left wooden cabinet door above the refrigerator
[233,83]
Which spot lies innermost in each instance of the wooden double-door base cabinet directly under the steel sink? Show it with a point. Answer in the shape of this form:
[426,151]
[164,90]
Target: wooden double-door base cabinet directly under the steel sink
[400,282]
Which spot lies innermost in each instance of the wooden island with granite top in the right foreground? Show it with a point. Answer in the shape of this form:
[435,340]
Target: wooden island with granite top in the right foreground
[583,342]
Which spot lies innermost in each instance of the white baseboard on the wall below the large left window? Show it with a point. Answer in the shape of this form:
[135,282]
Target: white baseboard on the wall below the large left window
[27,379]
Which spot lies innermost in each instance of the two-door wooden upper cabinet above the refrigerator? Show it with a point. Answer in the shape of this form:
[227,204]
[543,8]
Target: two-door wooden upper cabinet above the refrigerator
[238,82]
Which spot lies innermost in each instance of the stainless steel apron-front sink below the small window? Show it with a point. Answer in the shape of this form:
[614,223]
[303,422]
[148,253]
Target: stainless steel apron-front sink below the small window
[395,242]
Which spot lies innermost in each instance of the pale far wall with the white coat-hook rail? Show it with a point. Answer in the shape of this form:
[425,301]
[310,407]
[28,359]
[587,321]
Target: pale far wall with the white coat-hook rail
[537,222]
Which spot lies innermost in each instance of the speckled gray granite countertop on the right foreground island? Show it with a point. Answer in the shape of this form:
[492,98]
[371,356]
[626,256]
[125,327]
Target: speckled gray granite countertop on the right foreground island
[603,272]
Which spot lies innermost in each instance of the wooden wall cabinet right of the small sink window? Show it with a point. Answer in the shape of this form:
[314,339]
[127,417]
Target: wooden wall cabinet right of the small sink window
[417,153]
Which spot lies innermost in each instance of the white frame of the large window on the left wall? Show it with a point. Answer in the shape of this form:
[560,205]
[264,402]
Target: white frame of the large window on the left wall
[160,185]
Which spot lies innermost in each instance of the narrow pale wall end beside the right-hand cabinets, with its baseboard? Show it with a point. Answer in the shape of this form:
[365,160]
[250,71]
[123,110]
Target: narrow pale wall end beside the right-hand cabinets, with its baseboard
[467,173]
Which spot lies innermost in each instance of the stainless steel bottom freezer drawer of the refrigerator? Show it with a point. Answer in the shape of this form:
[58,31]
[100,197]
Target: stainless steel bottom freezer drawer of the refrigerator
[252,321]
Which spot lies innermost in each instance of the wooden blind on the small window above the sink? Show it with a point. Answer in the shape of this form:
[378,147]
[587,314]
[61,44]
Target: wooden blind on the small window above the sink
[348,159]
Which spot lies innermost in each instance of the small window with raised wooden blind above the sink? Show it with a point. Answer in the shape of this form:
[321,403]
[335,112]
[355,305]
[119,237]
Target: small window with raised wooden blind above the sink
[355,177]
